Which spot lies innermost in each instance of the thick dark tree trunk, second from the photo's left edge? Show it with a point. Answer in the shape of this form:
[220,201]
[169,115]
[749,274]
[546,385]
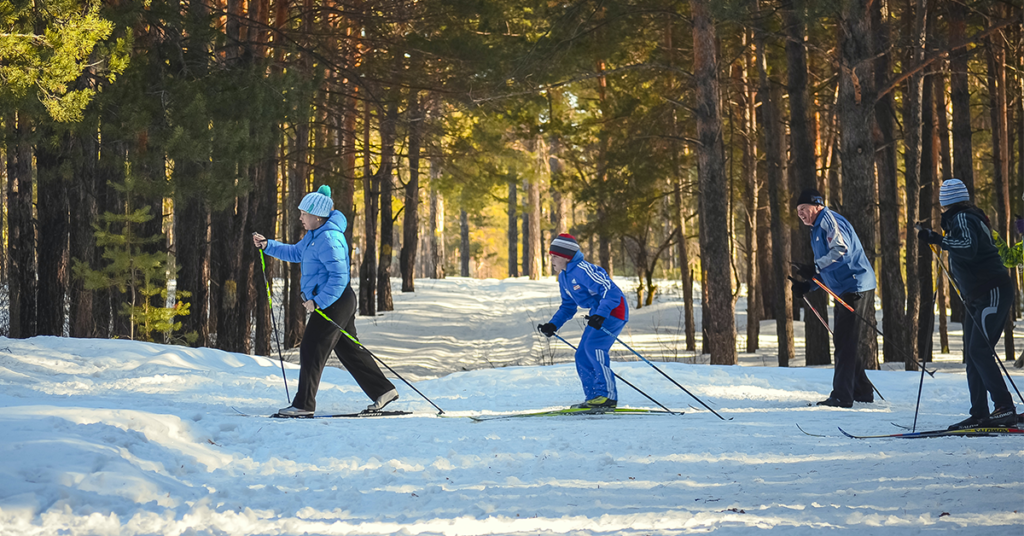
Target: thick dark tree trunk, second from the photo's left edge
[55,232]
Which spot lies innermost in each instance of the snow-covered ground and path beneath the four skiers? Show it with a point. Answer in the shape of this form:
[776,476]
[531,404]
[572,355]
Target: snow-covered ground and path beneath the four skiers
[114,437]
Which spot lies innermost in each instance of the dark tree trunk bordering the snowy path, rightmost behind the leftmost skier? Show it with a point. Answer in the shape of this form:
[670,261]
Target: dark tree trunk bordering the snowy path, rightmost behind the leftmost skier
[411,222]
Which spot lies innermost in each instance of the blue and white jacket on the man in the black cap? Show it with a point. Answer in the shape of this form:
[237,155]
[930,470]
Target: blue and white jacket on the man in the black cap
[839,256]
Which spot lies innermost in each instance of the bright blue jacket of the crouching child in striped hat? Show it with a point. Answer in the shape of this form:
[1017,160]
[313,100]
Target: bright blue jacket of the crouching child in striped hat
[588,286]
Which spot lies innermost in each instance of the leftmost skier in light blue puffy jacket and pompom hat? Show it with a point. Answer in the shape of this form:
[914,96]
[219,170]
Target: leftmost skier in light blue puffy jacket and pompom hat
[323,253]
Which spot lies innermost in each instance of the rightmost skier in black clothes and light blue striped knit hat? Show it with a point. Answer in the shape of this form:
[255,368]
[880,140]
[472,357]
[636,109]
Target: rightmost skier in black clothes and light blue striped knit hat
[988,293]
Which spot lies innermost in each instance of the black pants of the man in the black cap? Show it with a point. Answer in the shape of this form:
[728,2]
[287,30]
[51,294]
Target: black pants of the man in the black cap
[850,382]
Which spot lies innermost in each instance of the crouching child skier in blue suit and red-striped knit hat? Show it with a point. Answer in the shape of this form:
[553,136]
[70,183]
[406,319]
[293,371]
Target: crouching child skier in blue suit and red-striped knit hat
[584,285]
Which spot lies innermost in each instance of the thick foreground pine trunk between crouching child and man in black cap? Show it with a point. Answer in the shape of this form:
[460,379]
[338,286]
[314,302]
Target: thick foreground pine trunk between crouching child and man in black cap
[720,324]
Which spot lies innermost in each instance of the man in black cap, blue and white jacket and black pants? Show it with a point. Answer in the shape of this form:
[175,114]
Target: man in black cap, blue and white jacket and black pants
[841,265]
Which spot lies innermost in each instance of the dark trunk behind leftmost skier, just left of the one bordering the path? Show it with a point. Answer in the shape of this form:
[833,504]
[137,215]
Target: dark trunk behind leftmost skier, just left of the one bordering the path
[389,139]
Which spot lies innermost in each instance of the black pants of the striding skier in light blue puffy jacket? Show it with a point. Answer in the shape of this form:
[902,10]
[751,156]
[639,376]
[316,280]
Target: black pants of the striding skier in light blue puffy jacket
[320,339]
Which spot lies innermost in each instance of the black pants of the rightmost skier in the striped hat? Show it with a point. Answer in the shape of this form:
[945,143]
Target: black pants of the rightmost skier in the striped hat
[984,322]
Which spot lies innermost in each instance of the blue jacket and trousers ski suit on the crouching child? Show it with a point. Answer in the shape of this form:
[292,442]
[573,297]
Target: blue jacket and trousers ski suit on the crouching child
[585,285]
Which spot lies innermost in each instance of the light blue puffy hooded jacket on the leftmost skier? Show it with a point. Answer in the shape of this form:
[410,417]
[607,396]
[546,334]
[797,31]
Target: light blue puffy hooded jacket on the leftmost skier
[324,255]
